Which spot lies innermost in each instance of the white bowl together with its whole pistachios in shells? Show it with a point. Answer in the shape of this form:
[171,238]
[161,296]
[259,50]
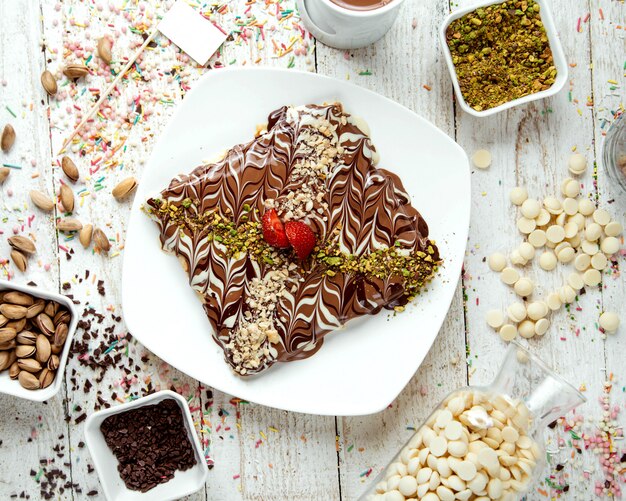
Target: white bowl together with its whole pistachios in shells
[36,330]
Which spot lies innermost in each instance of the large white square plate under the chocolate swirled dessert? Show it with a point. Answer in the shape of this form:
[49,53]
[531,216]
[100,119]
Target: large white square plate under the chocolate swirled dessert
[362,368]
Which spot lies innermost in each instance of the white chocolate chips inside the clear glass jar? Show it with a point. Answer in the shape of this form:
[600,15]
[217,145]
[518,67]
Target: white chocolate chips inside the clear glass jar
[475,446]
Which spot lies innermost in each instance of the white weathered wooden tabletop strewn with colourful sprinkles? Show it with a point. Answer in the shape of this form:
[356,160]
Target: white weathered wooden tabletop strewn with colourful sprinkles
[261,453]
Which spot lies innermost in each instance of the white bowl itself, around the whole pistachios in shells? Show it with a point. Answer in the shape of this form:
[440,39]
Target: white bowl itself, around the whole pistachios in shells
[12,386]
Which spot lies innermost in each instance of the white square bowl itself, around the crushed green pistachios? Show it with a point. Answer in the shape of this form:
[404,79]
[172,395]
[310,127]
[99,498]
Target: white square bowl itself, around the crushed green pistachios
[555,46]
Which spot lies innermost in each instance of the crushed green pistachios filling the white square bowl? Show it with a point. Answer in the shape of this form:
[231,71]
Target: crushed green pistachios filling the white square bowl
[501,53]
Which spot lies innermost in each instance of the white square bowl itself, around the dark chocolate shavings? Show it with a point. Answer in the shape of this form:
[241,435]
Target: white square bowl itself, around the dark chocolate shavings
[183,483]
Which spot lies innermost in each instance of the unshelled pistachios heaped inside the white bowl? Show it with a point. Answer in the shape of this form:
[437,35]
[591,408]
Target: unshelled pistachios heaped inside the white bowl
[32,335]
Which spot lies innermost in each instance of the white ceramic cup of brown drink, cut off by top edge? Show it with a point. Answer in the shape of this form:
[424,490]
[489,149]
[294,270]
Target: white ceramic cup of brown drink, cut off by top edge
[344,28]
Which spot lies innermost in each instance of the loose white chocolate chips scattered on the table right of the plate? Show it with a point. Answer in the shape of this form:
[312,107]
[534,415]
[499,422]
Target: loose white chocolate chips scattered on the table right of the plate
[568,230]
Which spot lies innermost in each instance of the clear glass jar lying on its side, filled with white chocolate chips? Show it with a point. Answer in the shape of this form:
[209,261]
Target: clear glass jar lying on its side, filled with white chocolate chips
[481,443]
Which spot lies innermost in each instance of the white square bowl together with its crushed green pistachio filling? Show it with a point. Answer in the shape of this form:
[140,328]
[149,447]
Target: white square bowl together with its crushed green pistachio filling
[503,54]
